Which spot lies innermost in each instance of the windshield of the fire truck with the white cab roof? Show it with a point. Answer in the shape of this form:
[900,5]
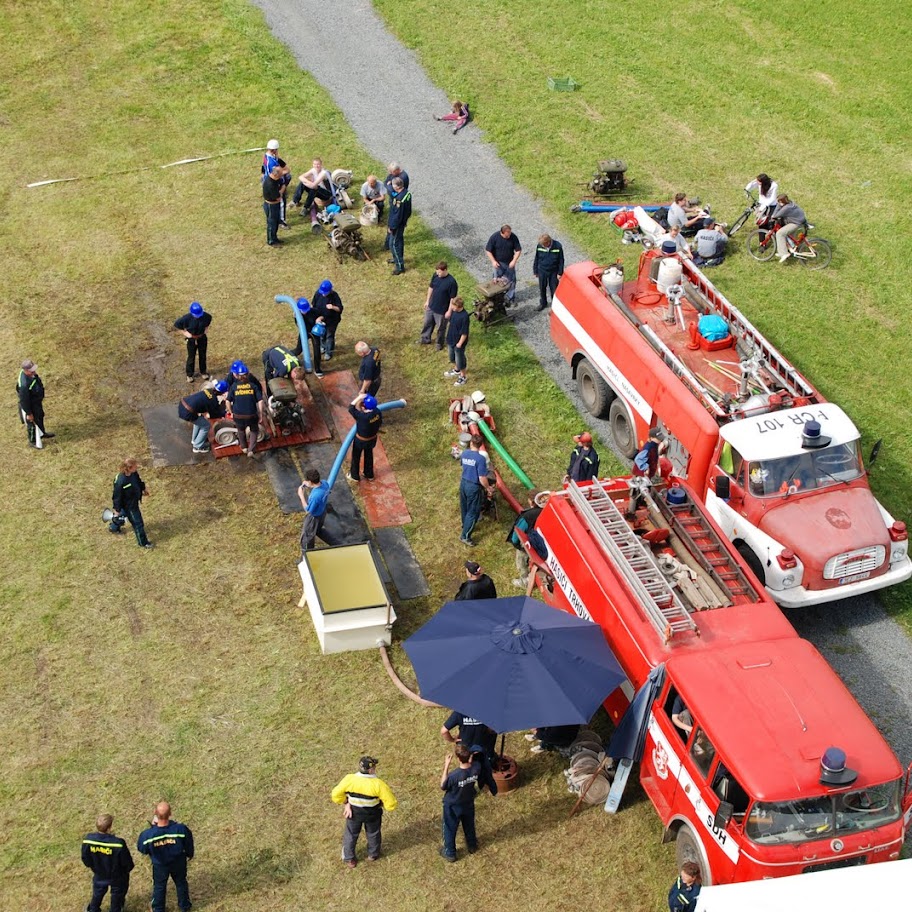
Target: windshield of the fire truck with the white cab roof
[806,470]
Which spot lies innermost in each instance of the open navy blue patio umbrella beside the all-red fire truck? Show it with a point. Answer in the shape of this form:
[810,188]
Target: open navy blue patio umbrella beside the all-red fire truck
[513,663]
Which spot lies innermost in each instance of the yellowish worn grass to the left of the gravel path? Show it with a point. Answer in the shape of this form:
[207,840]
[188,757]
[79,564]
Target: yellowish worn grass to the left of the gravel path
[188,672]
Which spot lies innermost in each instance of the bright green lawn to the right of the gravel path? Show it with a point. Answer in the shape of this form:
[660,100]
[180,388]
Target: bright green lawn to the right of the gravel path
[701,97]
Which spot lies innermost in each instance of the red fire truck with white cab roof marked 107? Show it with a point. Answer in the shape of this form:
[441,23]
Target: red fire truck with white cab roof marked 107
[779,468]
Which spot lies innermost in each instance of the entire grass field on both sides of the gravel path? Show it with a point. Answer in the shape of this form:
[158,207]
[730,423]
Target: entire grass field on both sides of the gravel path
[188,672]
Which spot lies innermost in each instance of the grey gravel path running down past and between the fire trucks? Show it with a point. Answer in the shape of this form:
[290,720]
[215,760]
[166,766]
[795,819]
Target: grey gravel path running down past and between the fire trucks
[389,102]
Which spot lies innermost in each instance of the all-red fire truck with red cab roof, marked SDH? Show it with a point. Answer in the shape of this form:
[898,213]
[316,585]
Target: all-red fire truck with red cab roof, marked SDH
[737,734]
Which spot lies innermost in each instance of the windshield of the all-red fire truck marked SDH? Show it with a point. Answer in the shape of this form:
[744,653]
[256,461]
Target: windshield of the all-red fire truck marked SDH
[806,819]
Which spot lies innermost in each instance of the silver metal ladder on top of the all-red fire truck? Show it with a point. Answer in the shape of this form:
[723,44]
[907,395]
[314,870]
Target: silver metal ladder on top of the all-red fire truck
[661,604]
